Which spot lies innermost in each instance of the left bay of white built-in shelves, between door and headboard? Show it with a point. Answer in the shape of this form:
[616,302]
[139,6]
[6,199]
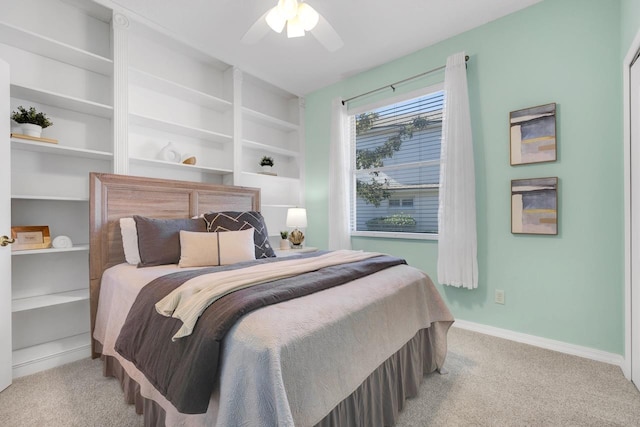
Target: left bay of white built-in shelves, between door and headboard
[61,64]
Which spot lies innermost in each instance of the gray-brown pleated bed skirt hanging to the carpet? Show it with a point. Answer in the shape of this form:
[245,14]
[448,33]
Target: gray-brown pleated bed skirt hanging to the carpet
[376,402]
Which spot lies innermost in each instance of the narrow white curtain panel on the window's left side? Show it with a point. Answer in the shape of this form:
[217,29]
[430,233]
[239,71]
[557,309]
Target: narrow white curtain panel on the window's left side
[339,178]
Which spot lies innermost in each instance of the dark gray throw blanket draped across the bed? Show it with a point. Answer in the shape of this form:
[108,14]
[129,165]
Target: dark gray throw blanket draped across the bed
[185,371]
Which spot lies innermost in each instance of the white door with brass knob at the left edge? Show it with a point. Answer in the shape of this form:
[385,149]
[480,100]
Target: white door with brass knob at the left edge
[5,230]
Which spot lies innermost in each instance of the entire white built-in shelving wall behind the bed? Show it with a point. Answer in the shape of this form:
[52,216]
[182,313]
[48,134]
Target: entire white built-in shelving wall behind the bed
[225,118]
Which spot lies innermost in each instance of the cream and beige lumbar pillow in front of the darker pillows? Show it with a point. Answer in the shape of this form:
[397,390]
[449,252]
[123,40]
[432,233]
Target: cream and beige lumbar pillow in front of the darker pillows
[210,249]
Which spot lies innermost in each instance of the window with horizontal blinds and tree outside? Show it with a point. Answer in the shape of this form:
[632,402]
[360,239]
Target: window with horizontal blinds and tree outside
[397,166]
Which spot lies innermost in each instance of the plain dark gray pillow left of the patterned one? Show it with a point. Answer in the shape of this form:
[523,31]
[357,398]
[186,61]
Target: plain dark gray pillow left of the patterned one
[159,239]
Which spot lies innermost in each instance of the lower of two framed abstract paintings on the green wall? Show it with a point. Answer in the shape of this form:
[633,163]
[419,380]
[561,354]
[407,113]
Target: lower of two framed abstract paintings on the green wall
[534,206]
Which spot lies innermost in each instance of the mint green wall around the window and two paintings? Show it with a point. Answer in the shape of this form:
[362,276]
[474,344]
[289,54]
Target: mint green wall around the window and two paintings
[567,287]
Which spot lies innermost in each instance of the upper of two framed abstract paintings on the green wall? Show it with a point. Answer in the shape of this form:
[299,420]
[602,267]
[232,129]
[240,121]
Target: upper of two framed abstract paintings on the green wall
[533,135]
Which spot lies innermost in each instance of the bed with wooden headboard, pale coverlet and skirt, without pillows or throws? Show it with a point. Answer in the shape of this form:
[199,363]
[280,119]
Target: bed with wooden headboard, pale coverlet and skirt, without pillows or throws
[346,355]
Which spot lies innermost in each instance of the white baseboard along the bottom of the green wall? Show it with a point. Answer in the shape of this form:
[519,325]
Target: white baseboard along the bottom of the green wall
[562,347]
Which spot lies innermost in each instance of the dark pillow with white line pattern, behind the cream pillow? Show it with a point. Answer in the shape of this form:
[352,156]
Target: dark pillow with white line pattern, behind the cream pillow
[234,221]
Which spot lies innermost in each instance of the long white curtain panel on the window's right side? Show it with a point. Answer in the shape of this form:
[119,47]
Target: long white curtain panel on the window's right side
[457,240]
